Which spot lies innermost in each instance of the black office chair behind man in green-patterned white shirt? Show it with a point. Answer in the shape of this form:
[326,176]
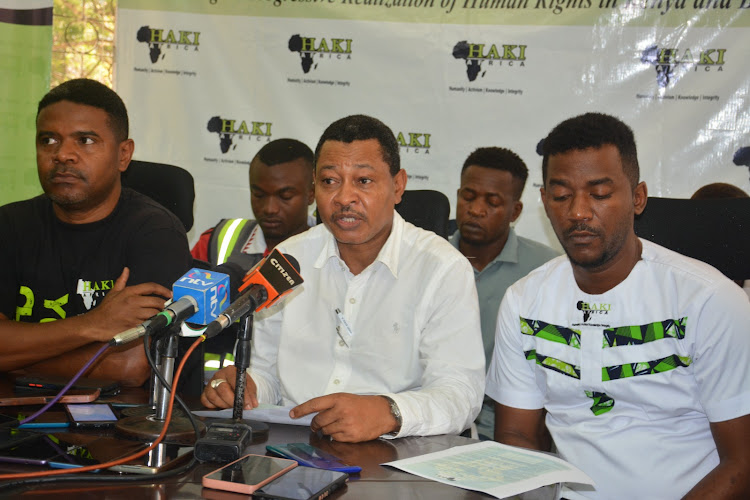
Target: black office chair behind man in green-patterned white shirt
[715,231]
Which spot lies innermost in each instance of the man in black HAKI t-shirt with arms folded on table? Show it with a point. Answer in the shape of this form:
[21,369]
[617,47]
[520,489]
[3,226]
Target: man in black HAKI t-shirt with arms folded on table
[88,259]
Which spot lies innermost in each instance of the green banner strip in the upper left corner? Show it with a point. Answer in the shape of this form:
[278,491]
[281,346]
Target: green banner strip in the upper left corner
[25,56]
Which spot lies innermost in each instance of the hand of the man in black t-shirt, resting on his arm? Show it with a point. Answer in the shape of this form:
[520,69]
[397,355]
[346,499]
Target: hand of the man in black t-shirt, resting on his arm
[125,307]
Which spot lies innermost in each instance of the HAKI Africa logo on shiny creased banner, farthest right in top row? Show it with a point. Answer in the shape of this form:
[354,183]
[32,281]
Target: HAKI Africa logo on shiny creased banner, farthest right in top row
[670,63]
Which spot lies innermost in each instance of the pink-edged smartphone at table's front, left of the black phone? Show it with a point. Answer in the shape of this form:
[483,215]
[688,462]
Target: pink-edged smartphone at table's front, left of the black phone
[248,473]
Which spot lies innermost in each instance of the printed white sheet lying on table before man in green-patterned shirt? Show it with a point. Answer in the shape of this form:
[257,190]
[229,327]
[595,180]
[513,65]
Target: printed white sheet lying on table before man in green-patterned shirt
[492,468]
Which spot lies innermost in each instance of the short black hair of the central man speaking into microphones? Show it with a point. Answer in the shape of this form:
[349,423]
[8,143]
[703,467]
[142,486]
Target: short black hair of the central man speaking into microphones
[361,128]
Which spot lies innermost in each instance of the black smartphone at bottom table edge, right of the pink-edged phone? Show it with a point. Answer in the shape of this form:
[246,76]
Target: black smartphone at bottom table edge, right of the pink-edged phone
[303,483]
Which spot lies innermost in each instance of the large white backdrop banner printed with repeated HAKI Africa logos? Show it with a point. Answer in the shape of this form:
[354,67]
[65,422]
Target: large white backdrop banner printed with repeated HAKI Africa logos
[208,82]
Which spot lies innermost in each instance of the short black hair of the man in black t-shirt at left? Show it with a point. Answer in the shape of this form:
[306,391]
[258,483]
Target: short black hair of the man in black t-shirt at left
[91,93]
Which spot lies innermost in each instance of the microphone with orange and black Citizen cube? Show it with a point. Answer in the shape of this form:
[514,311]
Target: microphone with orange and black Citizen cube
[264,285]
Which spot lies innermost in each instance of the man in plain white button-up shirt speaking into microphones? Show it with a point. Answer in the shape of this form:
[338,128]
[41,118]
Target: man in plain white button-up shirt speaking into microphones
[383,337]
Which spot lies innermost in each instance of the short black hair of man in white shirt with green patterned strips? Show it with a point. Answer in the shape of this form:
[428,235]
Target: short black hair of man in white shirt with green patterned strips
[593,130]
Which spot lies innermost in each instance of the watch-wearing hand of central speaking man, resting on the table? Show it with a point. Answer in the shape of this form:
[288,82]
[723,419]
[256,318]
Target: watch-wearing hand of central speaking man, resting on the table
[348,417]
